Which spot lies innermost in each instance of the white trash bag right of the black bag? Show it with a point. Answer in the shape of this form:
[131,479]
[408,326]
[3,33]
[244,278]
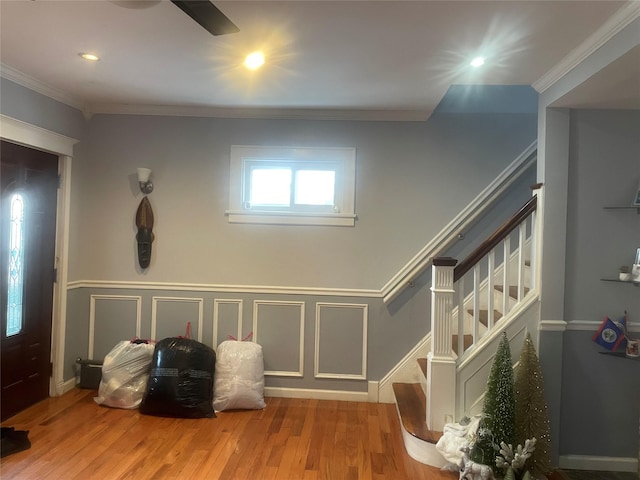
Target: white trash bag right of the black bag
[239,376]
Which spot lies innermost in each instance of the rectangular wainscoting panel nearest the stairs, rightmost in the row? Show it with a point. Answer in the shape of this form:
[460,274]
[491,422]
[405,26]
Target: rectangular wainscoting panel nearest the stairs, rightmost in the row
[341,339]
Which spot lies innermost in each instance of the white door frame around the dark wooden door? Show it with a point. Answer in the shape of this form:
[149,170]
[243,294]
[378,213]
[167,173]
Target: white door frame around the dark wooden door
[29,135]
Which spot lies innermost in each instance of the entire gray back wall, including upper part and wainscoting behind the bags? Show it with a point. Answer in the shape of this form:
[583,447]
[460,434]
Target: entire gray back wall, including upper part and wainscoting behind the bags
[412,178]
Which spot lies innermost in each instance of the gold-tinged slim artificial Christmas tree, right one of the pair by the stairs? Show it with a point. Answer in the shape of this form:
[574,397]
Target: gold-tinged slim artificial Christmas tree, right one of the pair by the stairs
[532,418]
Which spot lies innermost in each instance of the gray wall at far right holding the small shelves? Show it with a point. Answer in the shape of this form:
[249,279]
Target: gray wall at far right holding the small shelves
[600,394]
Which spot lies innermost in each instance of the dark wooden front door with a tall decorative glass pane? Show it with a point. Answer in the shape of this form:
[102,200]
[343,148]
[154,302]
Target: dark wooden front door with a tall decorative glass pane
[28,198]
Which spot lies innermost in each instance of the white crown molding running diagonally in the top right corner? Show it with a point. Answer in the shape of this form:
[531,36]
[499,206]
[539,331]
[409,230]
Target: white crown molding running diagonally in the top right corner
[617,22]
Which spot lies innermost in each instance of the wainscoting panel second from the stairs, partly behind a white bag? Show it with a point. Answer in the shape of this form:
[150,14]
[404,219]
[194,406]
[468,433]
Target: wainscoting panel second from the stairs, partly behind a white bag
[286,319]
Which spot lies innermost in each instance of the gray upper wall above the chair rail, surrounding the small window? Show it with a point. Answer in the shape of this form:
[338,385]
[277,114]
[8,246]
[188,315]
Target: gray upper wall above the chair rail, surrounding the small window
[412,178]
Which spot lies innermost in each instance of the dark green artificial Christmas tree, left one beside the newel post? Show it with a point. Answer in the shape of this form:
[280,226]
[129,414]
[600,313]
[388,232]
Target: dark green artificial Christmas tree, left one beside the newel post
[498,422]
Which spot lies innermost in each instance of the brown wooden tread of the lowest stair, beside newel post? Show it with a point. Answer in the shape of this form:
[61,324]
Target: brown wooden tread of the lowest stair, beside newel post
[412,406]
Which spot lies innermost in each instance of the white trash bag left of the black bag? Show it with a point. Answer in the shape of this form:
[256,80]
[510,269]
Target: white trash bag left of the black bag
[125,372]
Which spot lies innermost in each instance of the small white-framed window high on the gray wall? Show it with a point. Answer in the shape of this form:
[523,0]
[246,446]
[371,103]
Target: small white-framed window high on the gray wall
[292,186]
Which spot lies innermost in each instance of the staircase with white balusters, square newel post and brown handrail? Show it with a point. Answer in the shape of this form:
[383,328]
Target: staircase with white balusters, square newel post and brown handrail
[464,334]
